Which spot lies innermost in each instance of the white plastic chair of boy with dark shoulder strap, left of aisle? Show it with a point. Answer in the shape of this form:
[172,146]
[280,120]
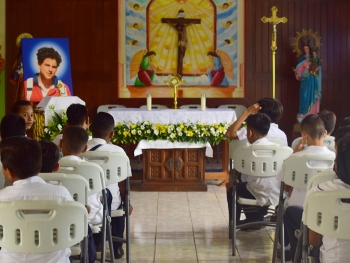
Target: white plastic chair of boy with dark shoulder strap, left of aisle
[116,167]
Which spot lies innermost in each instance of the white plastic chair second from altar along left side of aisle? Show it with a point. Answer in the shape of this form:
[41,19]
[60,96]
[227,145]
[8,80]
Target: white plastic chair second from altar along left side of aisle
[95,178]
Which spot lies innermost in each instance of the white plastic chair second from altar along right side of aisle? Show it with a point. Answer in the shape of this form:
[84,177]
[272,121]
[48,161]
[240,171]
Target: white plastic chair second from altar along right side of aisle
[297,170]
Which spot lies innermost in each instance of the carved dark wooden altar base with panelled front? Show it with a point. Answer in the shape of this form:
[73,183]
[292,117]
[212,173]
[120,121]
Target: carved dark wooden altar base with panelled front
[173,170]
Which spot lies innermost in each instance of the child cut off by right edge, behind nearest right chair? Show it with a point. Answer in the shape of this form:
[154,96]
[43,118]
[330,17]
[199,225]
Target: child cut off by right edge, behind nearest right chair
[333,249]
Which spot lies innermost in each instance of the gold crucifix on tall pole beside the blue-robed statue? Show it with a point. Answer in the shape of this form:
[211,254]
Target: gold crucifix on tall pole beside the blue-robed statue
[274,20]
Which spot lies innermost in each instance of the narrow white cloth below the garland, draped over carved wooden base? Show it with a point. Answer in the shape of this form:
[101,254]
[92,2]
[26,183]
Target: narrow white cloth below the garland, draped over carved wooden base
[165,144]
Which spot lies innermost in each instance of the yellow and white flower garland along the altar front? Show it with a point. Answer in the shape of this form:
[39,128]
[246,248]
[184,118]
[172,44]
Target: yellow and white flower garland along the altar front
[131,133]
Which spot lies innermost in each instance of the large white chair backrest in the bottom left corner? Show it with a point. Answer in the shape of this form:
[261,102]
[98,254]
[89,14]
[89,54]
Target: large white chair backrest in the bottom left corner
[42,226]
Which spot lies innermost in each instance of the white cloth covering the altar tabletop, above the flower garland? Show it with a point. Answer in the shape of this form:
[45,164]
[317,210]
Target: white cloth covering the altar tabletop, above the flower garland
[171,116]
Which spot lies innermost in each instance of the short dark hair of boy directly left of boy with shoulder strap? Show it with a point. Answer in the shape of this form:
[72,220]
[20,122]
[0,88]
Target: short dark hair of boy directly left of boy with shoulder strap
[74,139]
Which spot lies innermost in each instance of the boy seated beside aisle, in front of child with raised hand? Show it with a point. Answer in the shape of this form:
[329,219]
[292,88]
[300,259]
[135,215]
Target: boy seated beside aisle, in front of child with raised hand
[261,189]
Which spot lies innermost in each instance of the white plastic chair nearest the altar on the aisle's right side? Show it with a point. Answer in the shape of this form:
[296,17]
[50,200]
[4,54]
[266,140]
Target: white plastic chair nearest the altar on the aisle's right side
[260,161]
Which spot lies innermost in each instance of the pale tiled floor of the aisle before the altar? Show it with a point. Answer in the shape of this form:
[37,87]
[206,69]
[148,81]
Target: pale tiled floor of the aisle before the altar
[190,227]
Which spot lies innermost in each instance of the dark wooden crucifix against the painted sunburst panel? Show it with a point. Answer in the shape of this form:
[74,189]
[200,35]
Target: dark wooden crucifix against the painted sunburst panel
[180,24]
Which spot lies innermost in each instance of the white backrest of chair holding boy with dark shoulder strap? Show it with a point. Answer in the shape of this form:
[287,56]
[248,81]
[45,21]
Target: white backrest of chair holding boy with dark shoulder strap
[115,165]
